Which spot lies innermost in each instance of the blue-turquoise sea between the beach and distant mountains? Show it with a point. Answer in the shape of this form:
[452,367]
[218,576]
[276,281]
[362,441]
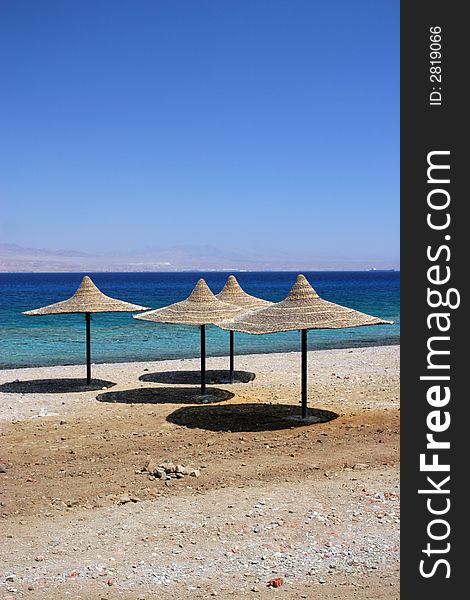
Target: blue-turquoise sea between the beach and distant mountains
[117,337]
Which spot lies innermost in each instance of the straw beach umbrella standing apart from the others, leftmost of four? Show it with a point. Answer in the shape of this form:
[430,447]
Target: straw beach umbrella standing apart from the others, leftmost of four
[87,299]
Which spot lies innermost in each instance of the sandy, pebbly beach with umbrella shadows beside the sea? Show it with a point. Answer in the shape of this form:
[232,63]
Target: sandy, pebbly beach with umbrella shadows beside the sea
[261,495]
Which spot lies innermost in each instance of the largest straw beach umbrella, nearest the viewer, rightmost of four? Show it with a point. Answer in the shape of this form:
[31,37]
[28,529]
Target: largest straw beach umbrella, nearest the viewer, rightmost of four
[303,309]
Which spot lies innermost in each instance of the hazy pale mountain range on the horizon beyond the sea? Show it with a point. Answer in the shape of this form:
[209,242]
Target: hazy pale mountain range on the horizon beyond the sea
[15,258]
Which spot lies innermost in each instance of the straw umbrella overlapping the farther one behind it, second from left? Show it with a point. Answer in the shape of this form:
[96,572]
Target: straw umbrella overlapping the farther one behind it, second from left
[201,308]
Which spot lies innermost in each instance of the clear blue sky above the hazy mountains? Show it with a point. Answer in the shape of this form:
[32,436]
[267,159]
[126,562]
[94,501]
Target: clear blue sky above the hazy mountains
[246,124]
